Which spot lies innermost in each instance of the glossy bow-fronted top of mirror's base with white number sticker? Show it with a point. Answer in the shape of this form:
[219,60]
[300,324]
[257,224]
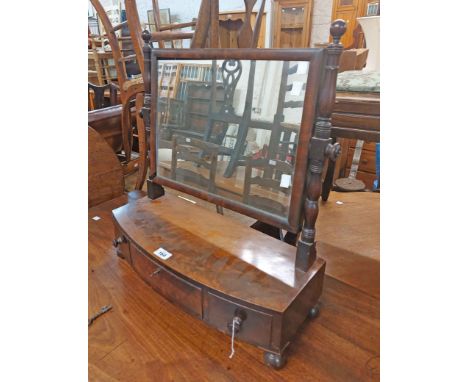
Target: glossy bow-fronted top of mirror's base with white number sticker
[216,251]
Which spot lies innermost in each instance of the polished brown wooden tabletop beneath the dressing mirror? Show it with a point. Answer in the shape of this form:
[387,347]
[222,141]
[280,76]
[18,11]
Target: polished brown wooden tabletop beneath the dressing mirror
[146,338]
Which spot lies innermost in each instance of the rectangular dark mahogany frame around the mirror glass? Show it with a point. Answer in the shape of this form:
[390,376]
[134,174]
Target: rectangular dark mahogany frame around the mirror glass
[315,57]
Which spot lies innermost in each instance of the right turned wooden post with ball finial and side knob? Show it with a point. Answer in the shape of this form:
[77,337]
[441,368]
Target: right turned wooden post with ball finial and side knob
[320,147]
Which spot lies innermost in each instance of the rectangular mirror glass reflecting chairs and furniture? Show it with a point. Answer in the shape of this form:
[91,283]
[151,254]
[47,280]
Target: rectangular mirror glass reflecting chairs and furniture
[231,127]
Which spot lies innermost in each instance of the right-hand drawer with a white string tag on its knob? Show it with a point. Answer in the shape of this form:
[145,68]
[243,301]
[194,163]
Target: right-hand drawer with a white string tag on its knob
[255,327]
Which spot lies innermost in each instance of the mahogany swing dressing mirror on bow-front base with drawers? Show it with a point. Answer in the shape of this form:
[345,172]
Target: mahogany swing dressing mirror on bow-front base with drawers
[247,130]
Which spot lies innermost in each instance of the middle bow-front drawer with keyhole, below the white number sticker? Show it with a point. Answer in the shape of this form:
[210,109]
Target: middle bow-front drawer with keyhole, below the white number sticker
[166,283]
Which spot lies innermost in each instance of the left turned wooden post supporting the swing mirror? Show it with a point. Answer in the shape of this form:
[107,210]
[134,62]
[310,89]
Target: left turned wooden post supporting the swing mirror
[150,79]
